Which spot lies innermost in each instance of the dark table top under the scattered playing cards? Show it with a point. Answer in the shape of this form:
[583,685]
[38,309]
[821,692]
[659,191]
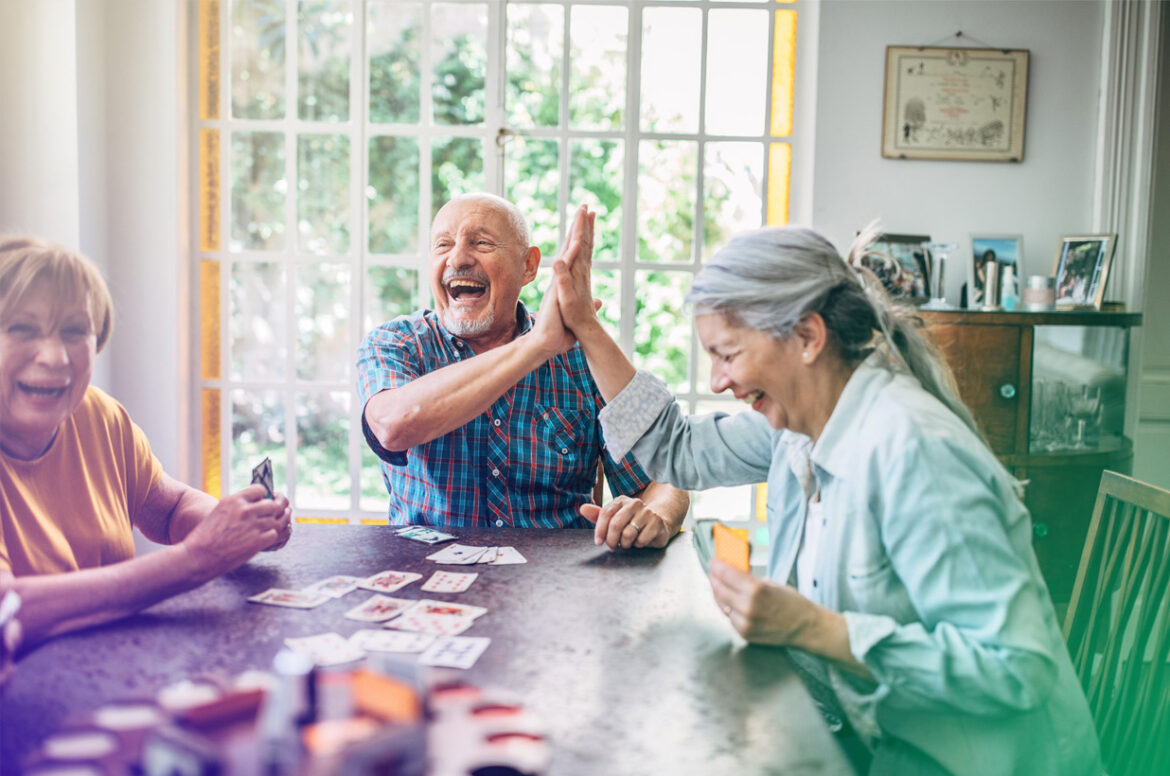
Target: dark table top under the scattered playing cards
[624,656]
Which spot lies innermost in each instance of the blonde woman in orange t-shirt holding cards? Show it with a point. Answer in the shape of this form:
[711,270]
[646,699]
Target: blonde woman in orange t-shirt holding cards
[77,475]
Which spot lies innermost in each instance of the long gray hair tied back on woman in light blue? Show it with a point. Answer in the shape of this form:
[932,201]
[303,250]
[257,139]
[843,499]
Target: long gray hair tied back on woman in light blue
[769,280]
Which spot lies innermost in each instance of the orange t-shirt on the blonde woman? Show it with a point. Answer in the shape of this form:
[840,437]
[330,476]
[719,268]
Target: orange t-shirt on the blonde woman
[74,507]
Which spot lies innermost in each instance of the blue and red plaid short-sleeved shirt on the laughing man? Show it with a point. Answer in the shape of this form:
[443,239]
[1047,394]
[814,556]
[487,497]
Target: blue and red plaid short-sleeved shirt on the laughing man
[529,462]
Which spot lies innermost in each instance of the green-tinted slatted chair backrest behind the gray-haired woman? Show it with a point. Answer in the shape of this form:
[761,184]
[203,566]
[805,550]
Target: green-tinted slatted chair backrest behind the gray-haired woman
[1118,627]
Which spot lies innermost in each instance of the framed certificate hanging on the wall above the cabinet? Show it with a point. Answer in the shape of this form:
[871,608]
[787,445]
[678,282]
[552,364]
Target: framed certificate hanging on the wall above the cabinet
[955,104]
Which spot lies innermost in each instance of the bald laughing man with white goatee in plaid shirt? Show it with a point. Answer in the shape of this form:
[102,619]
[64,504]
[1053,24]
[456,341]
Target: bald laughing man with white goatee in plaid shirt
[486,415]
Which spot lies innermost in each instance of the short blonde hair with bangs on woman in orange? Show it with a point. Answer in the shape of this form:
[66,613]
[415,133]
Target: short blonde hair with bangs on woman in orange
[26,260]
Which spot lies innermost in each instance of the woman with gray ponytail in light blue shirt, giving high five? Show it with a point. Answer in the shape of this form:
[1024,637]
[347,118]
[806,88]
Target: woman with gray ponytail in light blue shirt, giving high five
[901,567]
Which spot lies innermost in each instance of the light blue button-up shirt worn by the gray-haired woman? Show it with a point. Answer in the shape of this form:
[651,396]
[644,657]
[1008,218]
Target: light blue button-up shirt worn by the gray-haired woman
[928,554]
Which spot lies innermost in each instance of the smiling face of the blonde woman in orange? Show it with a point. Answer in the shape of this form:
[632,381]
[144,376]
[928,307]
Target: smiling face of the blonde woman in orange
[47,349]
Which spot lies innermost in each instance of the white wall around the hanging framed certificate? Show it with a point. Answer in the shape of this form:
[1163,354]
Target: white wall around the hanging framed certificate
[1048,195]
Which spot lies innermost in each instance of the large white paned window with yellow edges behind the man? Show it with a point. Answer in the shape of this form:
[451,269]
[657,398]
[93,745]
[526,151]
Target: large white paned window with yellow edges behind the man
[331,132]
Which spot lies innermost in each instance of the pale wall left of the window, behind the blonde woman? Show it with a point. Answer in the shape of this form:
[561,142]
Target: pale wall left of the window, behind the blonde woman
[92,157]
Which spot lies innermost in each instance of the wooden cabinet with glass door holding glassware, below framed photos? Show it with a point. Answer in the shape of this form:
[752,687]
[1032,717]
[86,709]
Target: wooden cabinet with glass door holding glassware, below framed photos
[1002,362]
